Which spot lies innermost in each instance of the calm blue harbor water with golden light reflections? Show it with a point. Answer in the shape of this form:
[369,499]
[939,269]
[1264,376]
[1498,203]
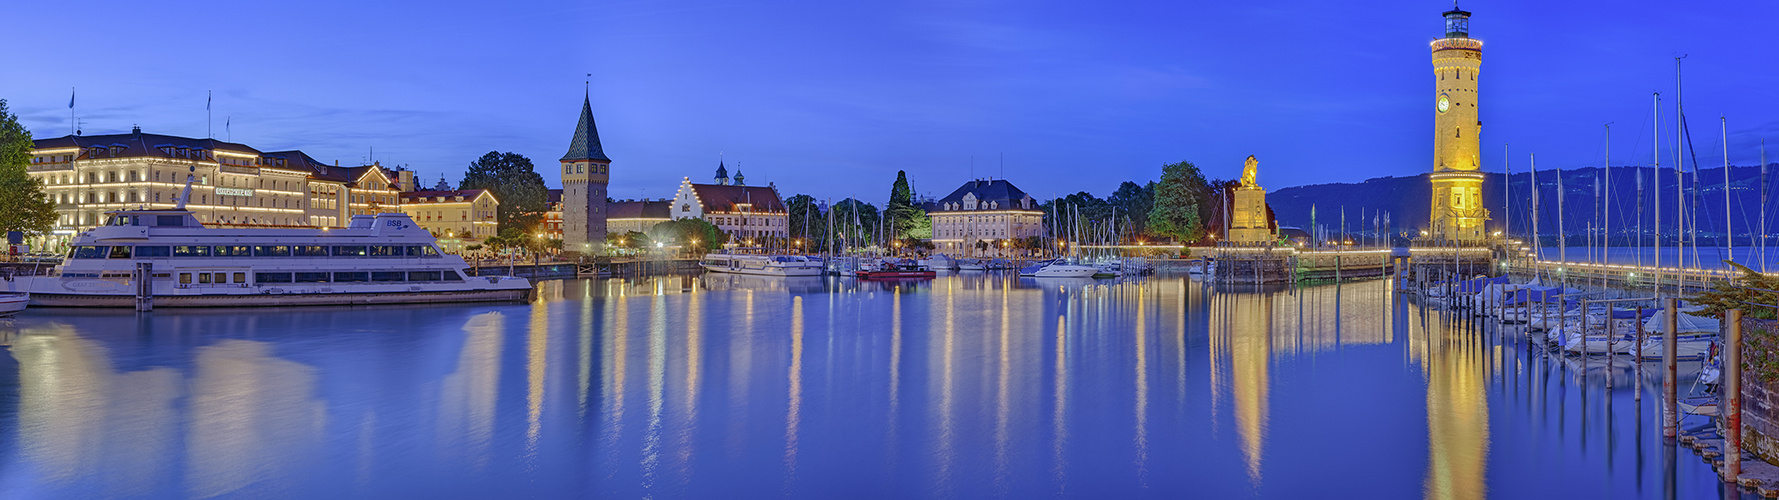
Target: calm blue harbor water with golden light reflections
[967,387]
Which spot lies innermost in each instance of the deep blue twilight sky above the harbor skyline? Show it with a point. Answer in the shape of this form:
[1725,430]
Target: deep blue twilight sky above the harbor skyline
[832,99]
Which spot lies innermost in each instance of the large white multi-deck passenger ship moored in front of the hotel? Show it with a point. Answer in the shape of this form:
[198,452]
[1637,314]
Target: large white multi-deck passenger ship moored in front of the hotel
[374,261]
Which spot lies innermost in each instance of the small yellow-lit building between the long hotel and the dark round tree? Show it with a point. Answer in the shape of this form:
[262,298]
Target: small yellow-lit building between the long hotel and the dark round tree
[456,218]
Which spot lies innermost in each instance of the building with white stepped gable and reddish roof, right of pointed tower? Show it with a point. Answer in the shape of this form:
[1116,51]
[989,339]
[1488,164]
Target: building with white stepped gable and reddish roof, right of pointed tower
[745,213]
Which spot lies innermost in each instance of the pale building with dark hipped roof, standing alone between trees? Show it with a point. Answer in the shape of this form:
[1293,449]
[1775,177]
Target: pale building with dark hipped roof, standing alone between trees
[985,211]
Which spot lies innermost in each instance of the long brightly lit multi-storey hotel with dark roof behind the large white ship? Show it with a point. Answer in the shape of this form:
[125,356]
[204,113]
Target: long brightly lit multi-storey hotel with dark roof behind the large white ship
[232,184]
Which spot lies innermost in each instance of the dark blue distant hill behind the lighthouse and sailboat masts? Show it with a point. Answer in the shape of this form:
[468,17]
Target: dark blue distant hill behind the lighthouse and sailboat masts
[1406,200]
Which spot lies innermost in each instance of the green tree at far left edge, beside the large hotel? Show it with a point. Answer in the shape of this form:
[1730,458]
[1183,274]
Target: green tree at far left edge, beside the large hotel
[22,202]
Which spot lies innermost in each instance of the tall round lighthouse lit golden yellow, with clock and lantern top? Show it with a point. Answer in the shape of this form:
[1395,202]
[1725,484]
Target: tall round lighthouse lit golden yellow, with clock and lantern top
[1458,213]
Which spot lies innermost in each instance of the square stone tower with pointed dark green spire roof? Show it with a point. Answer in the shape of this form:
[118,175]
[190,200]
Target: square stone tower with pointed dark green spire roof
[586,173]
